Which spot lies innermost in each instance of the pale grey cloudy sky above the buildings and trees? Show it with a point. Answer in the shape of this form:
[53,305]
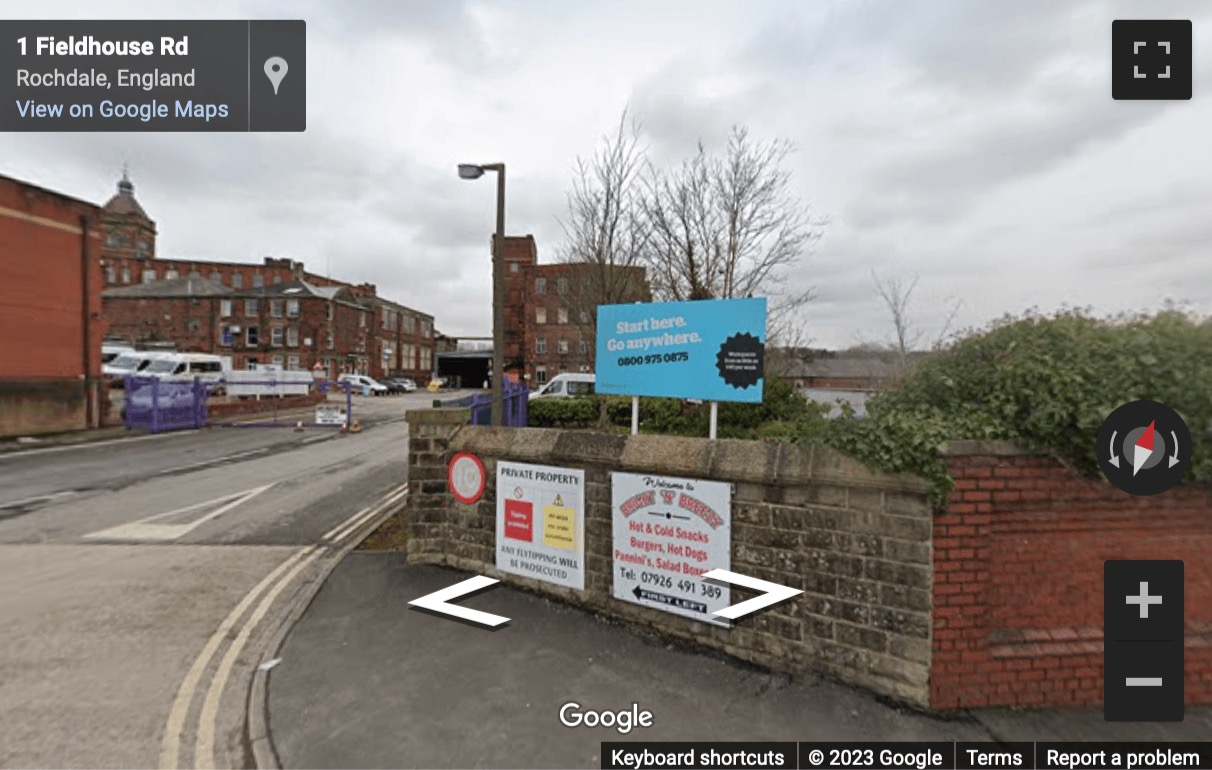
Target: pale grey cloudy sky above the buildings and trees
[974,144]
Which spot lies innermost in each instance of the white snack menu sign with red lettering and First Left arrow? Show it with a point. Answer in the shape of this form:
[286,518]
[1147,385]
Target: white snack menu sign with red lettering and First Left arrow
[668,533]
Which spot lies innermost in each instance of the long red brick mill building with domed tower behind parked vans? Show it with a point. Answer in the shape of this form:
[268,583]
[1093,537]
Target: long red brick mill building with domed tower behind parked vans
[370,334]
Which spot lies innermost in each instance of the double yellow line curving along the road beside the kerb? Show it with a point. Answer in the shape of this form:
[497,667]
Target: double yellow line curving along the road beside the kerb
[267,591]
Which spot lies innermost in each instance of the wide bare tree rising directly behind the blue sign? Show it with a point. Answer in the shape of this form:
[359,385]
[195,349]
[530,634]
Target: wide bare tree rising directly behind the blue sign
[730,227]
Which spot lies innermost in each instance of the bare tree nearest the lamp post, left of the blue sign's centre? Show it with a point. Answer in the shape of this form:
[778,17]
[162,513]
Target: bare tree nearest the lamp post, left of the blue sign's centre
[607,232]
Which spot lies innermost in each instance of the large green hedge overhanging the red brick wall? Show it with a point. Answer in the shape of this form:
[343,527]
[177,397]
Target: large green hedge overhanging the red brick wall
[1045,383]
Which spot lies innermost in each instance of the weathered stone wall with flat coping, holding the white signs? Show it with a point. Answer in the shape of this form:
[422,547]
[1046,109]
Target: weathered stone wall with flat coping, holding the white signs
[856,541]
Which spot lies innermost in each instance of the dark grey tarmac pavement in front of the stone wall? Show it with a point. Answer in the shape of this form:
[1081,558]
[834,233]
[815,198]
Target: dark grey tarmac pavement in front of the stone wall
[408,689]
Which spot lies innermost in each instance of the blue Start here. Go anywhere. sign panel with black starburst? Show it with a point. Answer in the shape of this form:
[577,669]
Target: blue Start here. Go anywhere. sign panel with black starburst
[708,350]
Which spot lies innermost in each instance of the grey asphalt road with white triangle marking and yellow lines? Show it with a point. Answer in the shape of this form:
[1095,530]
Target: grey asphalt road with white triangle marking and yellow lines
[141,574]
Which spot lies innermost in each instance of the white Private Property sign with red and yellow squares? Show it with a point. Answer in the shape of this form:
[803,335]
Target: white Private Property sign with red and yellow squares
[541,523]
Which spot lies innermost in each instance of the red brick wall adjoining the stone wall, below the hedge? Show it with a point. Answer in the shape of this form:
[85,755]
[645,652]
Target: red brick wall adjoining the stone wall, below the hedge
[1019,580]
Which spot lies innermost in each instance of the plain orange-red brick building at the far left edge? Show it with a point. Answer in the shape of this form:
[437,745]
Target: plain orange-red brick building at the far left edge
[50,311]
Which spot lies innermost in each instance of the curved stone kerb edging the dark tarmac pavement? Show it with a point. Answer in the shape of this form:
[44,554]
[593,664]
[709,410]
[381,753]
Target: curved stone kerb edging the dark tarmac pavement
[258,734]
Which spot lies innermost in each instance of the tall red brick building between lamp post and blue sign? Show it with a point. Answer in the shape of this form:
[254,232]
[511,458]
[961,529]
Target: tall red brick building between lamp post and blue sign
[551,312]
